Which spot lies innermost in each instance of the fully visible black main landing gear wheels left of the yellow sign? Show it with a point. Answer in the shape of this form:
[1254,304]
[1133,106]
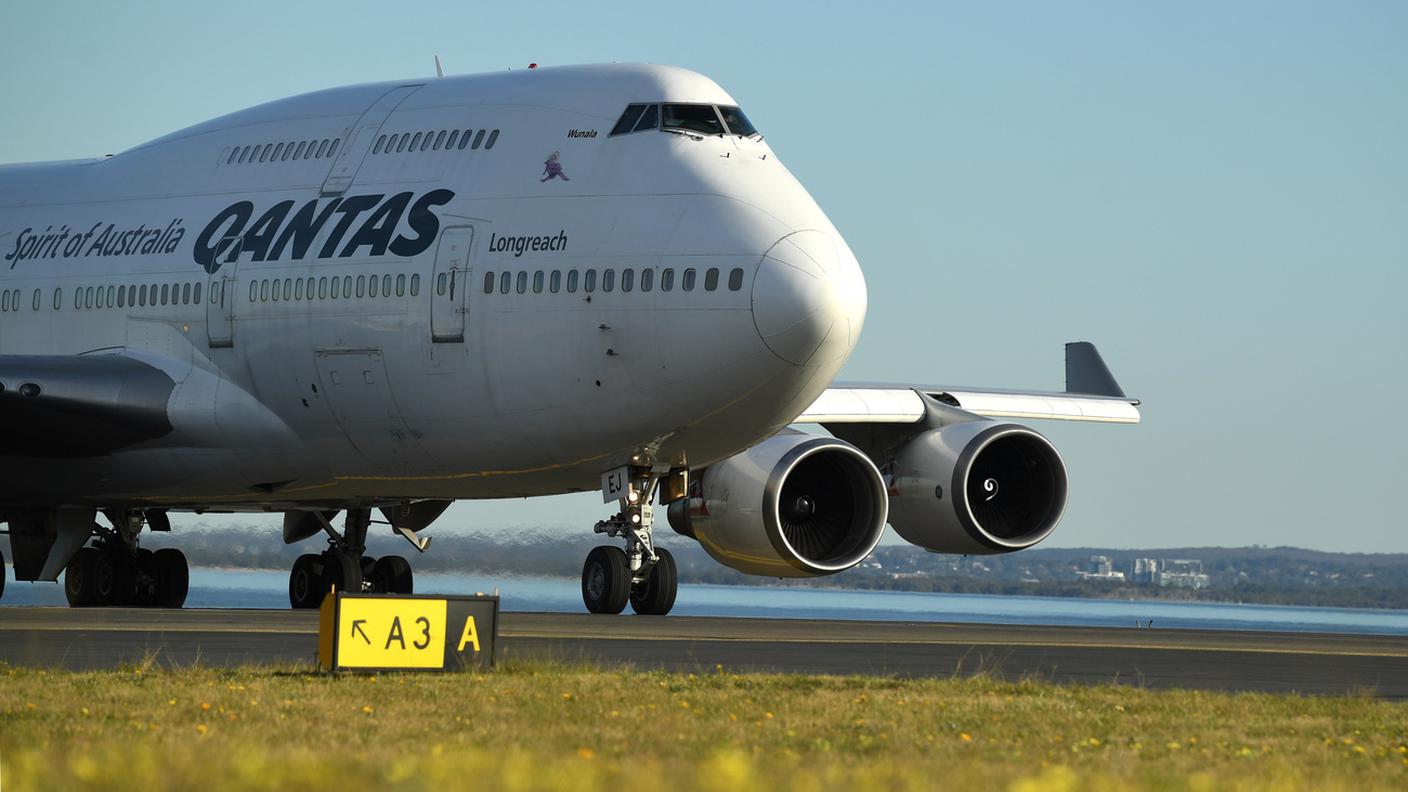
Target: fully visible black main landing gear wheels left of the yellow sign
[118,573]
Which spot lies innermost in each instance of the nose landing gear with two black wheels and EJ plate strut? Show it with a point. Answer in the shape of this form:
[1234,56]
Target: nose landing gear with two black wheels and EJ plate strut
[643,574]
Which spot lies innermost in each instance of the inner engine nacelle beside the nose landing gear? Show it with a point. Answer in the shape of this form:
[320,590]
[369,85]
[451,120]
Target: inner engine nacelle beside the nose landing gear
[793,507]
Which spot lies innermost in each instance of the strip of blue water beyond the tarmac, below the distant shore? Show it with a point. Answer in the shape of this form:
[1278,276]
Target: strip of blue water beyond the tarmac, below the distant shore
[251,588]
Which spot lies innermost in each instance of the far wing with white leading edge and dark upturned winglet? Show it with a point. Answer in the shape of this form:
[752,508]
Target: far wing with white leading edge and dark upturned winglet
[1092,395]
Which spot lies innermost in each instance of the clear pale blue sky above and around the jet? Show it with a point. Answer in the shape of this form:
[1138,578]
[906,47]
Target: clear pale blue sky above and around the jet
[1216,194]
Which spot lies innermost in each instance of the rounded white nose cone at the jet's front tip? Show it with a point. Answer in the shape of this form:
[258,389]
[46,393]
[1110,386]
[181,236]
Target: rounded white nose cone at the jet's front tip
[810,298]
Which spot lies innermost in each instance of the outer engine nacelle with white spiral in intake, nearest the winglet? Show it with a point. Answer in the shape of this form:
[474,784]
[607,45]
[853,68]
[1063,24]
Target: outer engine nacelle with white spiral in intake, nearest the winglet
[976,488]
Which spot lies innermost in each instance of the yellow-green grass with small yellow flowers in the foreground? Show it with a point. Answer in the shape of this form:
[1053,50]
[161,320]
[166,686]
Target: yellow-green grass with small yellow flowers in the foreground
[537,726]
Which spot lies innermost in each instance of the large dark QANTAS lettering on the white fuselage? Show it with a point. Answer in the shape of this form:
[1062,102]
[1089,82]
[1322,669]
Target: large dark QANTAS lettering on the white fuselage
[287,235]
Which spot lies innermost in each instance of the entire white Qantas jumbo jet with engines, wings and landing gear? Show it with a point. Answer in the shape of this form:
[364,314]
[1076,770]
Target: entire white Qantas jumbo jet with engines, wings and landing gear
[386,298]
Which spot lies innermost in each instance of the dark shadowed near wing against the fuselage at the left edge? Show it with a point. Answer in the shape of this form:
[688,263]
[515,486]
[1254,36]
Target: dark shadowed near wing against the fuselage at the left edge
[65,407]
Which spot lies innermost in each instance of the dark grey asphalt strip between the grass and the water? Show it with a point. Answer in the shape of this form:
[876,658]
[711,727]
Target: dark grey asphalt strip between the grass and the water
[1306,663]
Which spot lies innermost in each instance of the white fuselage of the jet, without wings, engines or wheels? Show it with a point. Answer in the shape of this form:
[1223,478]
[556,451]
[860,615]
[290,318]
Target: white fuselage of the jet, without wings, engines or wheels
[481,366]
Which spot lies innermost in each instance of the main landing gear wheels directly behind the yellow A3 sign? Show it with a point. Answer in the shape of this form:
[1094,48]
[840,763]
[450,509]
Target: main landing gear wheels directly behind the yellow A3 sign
[344,566]
